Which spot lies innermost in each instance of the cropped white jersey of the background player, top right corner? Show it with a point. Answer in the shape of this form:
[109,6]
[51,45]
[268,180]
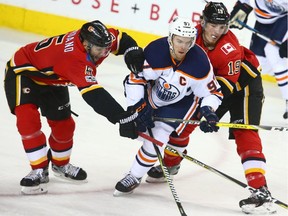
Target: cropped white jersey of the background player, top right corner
[268,11]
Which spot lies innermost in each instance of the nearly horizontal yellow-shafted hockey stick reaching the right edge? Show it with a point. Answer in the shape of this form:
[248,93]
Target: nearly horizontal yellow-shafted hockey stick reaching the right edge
[225,124]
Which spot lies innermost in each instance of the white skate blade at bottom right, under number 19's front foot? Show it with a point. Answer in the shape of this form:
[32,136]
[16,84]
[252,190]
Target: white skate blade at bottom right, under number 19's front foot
[265,209]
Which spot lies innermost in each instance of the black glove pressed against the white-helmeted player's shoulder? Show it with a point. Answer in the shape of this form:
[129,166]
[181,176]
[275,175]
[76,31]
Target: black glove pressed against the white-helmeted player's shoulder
[134,59]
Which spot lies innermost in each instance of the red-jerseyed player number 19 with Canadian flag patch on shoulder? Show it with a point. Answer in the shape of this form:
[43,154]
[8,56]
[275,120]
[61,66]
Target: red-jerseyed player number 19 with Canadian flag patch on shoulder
[238,72]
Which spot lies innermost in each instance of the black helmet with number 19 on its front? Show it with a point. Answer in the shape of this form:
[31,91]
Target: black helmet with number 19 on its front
[216,12]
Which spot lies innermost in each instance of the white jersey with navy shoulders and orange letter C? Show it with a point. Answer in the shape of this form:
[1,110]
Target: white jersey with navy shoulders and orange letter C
[173,81]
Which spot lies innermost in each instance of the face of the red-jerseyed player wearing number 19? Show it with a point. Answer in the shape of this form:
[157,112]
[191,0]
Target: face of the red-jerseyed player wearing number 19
[212,32]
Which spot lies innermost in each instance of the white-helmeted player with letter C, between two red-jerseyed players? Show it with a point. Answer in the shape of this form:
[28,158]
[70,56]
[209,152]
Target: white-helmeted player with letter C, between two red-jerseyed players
[177,82]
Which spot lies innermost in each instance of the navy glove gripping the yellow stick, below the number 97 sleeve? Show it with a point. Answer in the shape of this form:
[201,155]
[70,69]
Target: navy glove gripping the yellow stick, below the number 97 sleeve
[209,125]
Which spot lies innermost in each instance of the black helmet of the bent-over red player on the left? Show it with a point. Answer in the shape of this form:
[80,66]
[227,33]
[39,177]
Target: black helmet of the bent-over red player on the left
[96,33]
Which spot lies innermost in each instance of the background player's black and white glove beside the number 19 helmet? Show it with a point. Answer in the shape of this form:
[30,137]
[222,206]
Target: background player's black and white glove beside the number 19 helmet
[240,12]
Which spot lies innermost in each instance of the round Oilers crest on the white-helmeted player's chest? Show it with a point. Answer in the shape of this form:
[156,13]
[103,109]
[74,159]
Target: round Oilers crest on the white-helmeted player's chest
[166,91]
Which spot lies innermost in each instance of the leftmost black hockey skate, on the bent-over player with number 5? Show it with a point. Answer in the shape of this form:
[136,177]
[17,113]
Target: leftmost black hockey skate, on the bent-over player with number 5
[35,182]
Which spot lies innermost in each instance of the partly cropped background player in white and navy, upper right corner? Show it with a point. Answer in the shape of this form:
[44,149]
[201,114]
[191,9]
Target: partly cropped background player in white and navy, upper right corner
[271,21]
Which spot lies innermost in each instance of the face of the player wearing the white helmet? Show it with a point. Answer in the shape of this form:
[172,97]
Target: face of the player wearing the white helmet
[181,46]
